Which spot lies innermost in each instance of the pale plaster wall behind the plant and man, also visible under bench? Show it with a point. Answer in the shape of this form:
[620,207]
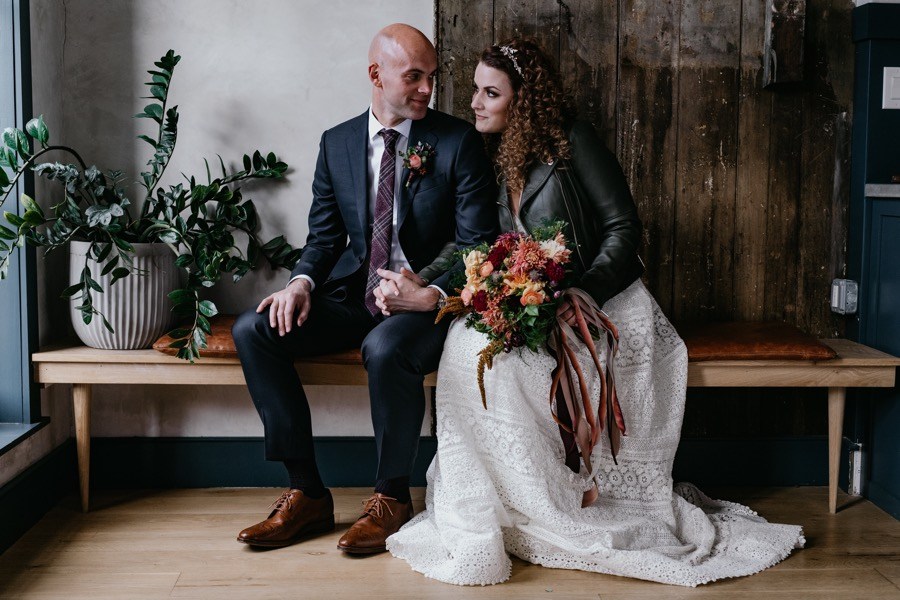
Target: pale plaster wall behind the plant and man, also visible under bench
[268,75]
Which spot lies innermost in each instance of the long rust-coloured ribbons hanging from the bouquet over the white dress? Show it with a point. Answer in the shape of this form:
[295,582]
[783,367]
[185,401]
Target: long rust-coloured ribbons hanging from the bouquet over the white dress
[586,426]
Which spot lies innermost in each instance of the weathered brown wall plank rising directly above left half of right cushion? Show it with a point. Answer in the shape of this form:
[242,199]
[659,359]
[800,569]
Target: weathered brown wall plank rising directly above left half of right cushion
[707,151]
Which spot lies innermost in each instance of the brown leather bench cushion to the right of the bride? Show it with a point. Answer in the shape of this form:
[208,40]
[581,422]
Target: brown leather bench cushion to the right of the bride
[751,341]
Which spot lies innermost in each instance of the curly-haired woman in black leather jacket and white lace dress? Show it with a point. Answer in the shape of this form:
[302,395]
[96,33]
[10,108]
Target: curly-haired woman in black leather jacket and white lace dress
[508,479]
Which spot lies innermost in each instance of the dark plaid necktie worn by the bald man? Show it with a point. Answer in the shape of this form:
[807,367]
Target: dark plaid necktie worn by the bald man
[382,224]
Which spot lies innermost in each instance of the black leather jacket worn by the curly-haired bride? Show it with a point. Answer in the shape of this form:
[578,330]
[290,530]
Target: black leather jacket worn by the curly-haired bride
[590,193]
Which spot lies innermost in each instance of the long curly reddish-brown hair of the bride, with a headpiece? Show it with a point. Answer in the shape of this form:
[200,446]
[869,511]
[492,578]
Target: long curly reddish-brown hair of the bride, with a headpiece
[538,115]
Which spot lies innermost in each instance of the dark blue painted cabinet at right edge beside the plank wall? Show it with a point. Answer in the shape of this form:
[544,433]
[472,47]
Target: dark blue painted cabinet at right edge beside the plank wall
[874,240]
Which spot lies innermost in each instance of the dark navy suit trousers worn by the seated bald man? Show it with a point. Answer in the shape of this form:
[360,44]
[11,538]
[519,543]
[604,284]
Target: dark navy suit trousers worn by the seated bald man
[397,351]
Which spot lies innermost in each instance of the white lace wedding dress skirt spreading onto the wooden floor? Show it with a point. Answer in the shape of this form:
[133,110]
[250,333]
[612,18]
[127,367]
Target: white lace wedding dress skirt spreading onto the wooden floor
[499,484]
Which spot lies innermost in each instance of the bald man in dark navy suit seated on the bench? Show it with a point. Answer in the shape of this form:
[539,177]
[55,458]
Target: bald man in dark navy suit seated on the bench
[373,223]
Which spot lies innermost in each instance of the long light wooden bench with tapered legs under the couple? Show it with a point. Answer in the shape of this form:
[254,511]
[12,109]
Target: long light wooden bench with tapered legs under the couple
[854,366]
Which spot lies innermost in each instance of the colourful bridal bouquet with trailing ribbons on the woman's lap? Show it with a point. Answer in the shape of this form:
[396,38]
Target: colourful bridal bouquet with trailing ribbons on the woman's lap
[511,294]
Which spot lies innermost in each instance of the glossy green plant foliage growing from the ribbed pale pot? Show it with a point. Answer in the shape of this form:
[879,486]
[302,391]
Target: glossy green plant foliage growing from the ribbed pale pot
[197,220]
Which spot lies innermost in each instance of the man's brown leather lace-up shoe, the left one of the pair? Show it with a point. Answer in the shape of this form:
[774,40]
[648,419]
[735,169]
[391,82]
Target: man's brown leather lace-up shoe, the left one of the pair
[293,517]
